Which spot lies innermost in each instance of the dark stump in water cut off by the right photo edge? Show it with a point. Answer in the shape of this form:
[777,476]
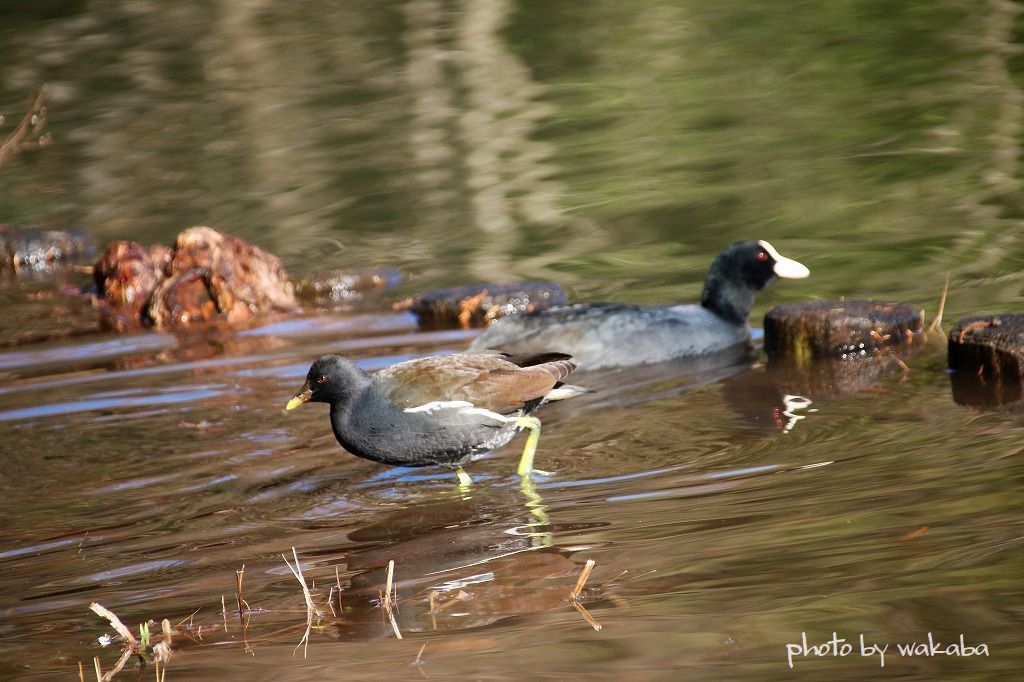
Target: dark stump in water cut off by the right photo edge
[987,354]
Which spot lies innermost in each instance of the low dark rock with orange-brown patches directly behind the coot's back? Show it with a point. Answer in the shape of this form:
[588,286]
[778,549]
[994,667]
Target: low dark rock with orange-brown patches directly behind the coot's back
[479,306]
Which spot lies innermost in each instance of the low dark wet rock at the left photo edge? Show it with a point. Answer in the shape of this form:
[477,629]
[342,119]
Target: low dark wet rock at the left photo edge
[37,249]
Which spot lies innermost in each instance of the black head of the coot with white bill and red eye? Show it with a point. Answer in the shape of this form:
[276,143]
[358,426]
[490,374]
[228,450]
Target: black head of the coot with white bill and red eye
[740,273]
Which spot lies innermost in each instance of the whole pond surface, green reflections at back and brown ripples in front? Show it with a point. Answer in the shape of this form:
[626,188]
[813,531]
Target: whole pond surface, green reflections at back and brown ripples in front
[612,147]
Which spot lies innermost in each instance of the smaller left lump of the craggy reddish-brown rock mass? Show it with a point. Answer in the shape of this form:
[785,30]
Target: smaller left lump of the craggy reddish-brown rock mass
[127,275]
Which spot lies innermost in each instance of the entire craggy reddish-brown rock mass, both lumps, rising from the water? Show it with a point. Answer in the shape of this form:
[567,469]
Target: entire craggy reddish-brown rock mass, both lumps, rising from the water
[208,277]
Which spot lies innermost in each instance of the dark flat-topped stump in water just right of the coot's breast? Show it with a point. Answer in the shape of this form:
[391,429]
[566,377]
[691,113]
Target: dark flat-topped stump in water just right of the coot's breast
[838,329]
